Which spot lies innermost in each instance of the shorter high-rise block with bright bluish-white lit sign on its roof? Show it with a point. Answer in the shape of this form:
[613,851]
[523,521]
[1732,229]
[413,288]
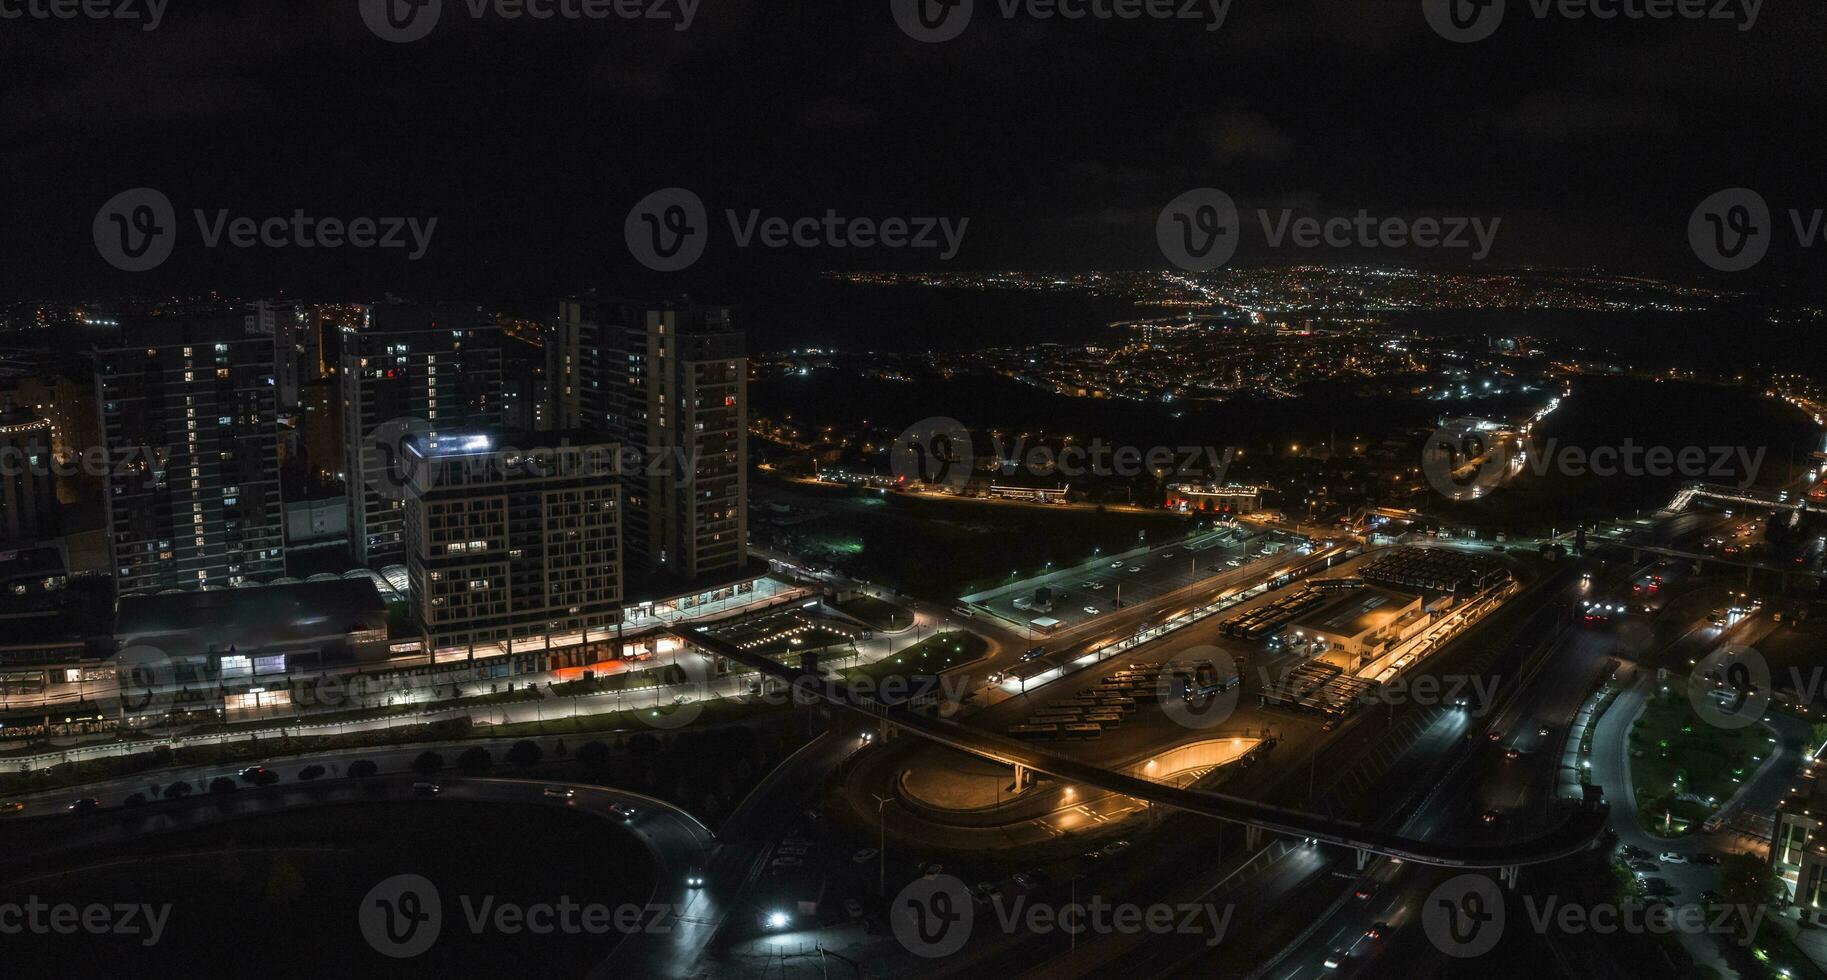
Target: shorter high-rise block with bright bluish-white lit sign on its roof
[512,548]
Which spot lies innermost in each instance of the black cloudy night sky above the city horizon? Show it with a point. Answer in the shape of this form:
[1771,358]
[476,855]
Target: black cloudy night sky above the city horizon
[531,142]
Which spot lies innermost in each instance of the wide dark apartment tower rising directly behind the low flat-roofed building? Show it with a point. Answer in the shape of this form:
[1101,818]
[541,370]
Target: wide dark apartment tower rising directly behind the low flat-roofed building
[191,427]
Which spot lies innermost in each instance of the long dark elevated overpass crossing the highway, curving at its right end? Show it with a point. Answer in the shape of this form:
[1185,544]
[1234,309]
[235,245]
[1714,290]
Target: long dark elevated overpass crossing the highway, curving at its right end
[1574,835]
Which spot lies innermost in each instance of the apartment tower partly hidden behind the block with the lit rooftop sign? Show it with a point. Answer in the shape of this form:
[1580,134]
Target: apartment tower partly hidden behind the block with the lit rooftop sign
[408,370]
